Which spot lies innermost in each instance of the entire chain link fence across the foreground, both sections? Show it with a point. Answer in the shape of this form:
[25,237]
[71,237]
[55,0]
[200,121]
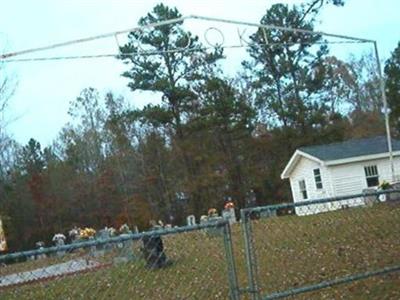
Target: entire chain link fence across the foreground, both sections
[317,249]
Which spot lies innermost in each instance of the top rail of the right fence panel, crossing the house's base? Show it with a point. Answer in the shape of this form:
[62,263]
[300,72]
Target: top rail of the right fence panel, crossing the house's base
[247,211]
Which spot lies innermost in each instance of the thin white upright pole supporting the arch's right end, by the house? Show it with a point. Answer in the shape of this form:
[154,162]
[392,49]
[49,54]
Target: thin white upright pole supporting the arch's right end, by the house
[385,110]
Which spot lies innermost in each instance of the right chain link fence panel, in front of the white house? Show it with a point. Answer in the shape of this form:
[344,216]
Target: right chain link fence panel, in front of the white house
[302,248]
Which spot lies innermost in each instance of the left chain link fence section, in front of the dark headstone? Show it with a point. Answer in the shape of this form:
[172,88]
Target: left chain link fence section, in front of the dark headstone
[192,262]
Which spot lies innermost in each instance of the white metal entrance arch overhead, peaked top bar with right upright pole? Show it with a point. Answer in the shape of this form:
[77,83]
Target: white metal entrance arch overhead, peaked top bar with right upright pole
[196,17]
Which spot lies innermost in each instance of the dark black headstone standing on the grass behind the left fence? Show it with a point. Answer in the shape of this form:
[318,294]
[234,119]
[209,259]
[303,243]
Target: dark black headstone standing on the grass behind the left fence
[153,250]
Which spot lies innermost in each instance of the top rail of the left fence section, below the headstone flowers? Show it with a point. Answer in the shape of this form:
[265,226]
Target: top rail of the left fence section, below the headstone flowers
[112,240]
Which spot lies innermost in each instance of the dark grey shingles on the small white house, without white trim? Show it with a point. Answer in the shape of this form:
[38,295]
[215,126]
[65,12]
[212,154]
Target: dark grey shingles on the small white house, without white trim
[351,148]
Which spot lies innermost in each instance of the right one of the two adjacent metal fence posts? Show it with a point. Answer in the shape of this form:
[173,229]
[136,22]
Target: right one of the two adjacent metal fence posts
[251,263]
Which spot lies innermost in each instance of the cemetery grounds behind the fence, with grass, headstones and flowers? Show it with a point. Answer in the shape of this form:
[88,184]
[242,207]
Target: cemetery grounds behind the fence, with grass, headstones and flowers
[127,260]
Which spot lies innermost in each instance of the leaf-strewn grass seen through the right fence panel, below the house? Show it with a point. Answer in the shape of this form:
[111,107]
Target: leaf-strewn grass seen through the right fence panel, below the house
[296,251]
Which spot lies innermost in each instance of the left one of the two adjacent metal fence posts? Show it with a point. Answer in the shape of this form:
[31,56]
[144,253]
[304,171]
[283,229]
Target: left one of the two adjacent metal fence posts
[230,259]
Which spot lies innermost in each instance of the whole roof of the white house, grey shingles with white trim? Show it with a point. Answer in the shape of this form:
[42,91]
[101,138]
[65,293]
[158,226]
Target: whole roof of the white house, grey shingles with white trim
[343,152]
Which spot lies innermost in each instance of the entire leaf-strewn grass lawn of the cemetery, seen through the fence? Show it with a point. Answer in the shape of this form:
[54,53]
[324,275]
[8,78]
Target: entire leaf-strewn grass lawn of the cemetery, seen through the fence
[291,252]
